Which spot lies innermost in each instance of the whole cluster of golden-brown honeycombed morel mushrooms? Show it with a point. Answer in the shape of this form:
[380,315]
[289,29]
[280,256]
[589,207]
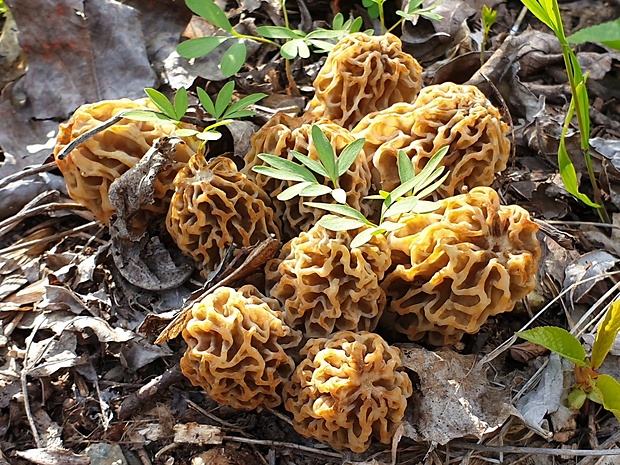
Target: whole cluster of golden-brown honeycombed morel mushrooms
[314,339]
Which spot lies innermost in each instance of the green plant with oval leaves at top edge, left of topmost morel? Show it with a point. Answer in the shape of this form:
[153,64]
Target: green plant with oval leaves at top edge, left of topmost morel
[296,43]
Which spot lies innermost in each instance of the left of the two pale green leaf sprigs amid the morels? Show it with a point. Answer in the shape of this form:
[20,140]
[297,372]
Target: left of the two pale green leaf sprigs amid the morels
[328,166]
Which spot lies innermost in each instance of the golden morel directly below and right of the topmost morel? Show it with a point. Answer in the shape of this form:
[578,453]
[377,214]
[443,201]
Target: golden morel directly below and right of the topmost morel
[458,116]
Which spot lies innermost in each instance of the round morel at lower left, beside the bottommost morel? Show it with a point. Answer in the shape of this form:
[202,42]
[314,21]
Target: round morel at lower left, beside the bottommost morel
[236,348]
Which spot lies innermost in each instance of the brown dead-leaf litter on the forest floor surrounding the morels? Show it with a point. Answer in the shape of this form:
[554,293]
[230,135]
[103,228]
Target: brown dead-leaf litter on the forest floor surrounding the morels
[81,380]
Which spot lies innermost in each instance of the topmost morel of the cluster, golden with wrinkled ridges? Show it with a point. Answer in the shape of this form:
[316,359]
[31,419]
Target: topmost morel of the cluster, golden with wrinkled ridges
[364,74]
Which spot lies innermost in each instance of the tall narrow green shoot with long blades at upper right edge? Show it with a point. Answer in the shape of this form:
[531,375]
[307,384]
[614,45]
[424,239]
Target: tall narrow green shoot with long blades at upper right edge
[548,12]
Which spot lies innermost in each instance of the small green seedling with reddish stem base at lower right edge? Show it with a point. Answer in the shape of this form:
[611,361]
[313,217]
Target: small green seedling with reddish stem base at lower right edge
[600,388]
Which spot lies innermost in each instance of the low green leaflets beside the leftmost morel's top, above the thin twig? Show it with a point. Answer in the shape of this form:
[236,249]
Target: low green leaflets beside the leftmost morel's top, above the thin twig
[223,110]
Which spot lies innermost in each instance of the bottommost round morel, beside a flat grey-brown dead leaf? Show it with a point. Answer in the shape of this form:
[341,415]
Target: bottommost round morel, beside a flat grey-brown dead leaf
[348,389]
